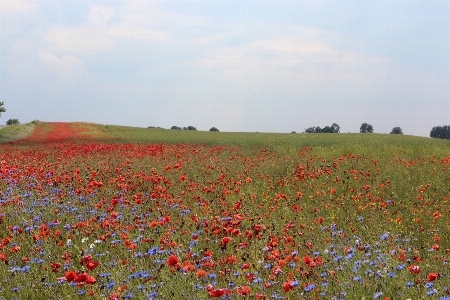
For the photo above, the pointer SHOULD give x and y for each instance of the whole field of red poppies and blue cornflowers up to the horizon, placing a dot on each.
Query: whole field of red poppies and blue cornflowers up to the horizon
(110, 212)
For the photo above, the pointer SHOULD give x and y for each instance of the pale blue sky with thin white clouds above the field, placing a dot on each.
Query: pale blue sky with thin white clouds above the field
(251, 66)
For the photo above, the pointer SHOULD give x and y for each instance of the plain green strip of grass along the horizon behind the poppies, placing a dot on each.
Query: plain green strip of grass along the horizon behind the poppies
(284, 141)
